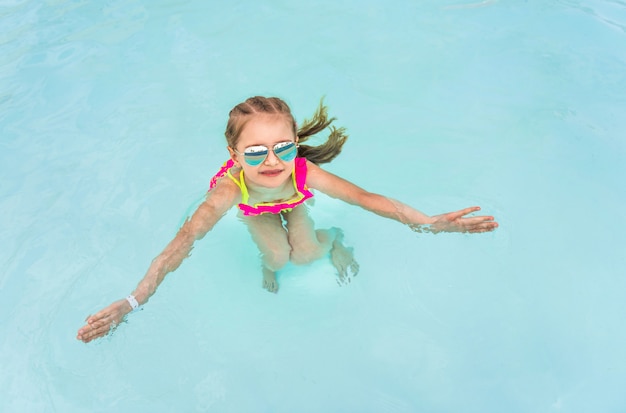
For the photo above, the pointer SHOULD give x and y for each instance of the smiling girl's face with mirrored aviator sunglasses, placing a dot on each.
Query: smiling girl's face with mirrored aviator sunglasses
(268, 131)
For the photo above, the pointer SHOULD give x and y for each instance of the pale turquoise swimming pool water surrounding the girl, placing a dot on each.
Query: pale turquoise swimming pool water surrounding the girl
(111, 123)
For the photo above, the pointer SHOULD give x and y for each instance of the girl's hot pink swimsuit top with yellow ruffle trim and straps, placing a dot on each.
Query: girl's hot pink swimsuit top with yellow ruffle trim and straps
(299, 183)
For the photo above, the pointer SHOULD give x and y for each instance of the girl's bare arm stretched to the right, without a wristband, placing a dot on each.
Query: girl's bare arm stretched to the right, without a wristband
(336, 187)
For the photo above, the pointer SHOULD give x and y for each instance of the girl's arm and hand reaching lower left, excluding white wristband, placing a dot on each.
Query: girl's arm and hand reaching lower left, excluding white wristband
(218, 201)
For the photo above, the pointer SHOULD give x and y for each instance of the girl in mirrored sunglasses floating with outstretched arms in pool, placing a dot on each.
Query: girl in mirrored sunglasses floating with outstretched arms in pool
(269, 176)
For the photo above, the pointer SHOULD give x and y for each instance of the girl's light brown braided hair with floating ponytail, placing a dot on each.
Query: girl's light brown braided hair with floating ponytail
(323, 153)
